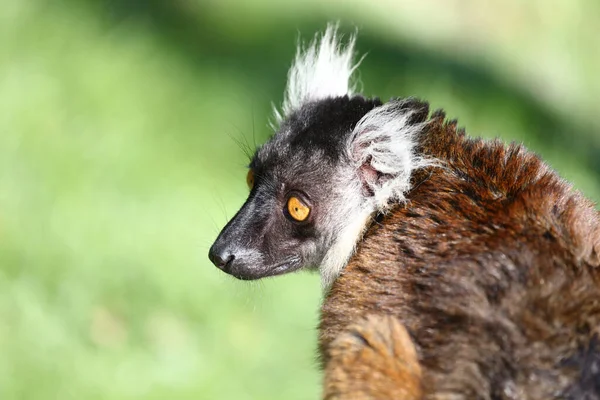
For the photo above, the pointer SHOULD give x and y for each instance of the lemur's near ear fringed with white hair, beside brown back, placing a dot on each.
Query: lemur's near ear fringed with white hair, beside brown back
(383, 148)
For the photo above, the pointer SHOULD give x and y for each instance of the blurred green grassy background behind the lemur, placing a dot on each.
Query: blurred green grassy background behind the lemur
(119, 163)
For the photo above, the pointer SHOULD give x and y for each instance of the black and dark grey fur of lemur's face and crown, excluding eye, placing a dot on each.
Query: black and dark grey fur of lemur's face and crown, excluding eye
(307, 159)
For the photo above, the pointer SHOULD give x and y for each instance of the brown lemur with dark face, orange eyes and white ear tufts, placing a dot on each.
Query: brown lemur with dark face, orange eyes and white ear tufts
(453, 267)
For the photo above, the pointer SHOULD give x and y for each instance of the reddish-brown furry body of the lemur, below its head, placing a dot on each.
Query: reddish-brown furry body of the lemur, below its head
(492, 268)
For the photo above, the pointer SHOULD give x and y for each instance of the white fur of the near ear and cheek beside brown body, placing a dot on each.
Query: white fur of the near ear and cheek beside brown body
(385, 139)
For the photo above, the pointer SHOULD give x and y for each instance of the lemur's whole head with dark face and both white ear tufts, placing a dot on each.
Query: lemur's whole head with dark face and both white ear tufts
(336, 159)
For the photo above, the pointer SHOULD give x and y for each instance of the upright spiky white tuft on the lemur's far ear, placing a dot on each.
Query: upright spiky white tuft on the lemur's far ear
(321, 71)
